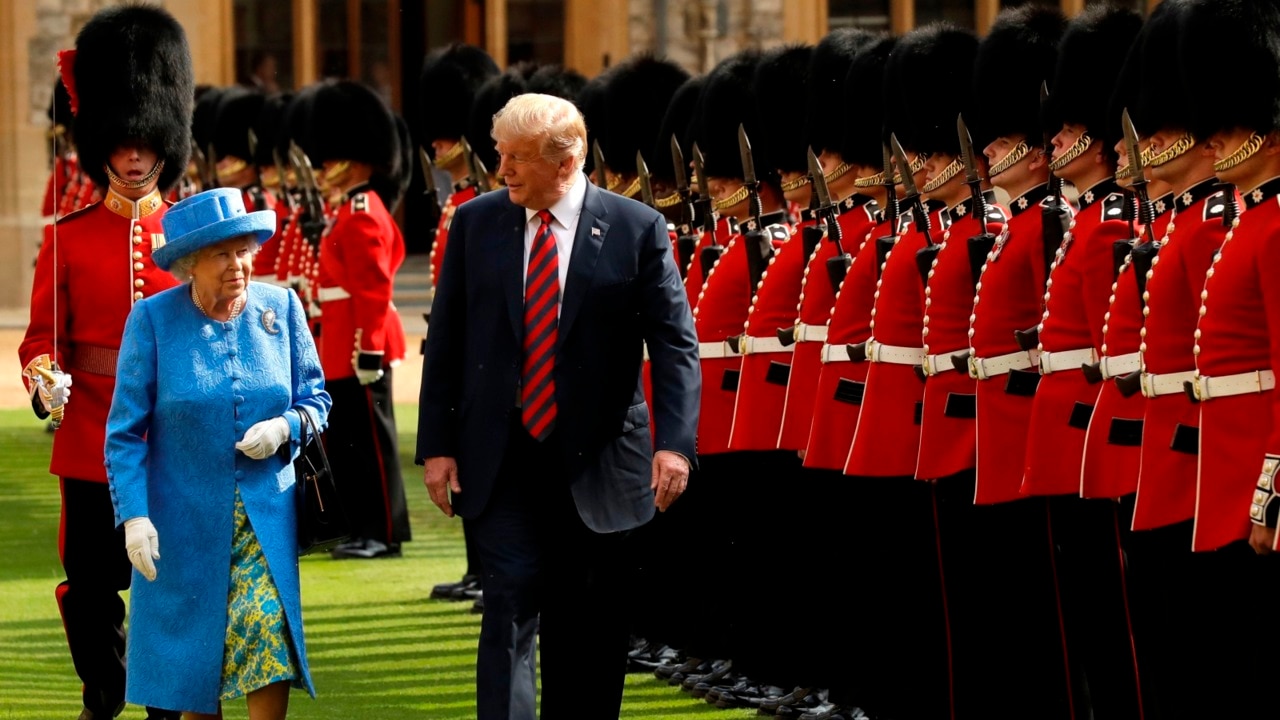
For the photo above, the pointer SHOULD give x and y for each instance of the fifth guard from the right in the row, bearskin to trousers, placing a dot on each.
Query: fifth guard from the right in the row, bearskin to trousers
(1011, 549)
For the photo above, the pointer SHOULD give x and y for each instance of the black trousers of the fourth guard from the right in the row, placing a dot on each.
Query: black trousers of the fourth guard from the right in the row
(1096, 612)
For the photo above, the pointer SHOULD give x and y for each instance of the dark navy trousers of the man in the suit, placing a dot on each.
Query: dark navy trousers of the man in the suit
(540, 559)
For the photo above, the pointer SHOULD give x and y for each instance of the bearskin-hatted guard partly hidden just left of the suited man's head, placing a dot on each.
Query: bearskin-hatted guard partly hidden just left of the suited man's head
(447, 88)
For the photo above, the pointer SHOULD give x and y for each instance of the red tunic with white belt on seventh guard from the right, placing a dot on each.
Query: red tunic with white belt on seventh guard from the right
(888, 440)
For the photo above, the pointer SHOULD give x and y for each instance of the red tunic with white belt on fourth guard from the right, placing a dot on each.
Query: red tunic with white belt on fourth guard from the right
(1076, 304)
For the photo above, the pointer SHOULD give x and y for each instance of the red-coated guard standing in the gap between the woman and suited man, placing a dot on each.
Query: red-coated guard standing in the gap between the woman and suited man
(359, 149)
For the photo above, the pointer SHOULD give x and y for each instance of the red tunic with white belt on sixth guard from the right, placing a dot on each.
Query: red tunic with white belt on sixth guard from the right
(948, 418)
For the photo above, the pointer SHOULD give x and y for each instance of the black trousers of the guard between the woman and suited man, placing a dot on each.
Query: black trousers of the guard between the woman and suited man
(363, 450)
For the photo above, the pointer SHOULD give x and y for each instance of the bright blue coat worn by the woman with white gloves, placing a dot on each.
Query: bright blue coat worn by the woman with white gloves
(188, 389)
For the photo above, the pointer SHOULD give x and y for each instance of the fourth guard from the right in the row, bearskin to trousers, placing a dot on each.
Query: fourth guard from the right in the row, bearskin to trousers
(1096, 618)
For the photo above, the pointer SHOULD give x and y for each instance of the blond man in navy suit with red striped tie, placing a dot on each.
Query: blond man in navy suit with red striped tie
(534, 423)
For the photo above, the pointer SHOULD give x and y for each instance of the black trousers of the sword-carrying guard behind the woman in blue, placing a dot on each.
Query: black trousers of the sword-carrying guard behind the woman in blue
(98, 571)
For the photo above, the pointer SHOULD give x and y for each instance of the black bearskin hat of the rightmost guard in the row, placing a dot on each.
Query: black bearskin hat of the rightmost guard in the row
(1232, 51)
